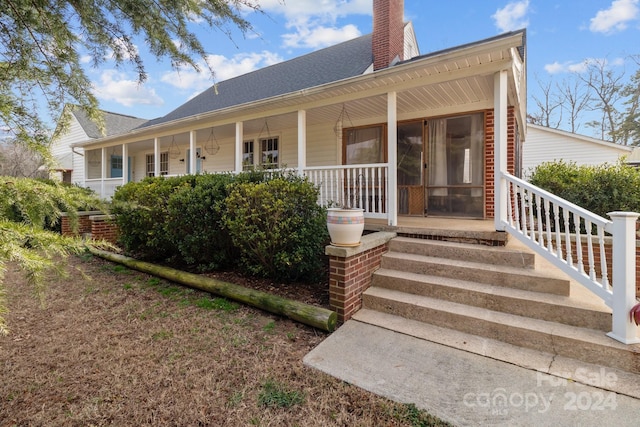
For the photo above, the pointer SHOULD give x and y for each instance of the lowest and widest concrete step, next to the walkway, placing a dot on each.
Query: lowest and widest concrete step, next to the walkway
(587, 345)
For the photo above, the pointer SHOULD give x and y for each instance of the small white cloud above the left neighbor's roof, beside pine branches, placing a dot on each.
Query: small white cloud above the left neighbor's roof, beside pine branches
(114, 86)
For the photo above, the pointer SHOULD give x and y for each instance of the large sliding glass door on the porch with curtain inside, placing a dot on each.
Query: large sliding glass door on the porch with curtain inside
(441, 167)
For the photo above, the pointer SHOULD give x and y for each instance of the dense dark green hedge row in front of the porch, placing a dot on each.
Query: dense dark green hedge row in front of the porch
(262, 223)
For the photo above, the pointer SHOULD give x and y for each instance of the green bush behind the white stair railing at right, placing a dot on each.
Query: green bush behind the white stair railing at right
(600, 189)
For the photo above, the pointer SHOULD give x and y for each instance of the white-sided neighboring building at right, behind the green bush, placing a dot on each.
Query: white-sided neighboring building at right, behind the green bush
(546, 145)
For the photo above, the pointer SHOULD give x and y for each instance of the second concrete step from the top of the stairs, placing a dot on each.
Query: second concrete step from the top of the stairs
(498, 275)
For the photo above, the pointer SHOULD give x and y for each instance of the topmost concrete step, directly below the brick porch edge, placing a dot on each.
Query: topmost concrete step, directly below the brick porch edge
(495, 255)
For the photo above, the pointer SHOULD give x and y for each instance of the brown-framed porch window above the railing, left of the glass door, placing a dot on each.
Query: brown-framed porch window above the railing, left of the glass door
(364, 145)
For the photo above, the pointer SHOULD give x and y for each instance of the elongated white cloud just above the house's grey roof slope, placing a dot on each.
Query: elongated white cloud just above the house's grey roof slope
(187, 78)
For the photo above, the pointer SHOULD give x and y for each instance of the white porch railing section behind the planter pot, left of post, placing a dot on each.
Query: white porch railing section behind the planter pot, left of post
(361, 186)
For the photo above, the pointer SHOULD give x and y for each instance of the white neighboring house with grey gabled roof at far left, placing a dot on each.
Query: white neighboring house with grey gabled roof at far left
(70, 161)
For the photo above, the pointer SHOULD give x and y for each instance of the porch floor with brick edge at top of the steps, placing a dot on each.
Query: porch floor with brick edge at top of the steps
(464, 230)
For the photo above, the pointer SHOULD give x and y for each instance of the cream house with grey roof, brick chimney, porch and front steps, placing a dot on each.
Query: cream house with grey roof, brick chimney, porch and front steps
(408, 137)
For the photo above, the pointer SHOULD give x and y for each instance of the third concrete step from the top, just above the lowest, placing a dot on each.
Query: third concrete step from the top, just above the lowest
(554, 308)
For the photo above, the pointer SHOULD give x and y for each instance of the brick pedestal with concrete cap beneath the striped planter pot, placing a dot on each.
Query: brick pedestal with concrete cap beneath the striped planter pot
(350, 272)
